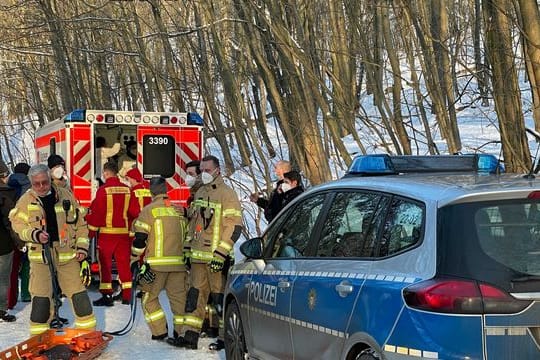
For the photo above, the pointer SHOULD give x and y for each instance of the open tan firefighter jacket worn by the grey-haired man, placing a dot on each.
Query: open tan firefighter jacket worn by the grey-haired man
(28, 219)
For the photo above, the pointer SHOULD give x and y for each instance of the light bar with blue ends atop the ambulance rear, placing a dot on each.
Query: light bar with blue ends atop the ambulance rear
(128, 117)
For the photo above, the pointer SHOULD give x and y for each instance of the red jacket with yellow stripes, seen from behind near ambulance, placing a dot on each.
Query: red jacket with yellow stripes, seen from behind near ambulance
(108, 212)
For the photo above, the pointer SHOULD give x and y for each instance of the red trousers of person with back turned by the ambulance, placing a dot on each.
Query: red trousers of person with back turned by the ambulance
(119, 248)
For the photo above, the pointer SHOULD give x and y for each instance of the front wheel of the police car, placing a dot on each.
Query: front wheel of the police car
(235, 343)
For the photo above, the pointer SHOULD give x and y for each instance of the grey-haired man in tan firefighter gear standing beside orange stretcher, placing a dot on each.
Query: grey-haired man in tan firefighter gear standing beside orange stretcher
(48, 215)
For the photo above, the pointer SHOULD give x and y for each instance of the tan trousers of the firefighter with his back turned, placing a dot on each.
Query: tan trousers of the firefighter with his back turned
(175, 285)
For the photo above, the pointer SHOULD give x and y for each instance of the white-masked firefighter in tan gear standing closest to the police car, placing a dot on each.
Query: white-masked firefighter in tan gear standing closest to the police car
(215, 224)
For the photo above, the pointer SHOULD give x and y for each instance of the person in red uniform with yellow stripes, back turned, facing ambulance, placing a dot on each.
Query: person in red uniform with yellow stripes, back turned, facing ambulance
(107, 218)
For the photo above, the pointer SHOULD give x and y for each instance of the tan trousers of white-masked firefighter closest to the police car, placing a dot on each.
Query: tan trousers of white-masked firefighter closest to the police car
(203, 282)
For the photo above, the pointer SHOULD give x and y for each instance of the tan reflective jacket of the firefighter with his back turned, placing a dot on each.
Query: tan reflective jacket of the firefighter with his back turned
(160, 232)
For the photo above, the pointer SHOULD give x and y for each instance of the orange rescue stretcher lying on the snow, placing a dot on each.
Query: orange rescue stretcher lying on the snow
(59, 344)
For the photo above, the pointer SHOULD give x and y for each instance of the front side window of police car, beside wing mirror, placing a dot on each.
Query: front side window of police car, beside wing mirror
(291, 236)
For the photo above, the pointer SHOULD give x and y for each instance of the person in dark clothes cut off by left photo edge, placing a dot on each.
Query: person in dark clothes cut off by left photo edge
(7, 241)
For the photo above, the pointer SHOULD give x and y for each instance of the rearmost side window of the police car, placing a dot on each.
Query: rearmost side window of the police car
(402, 228)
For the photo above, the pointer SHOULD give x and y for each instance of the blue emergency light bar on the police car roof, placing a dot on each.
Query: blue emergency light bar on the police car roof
(383, 164)
